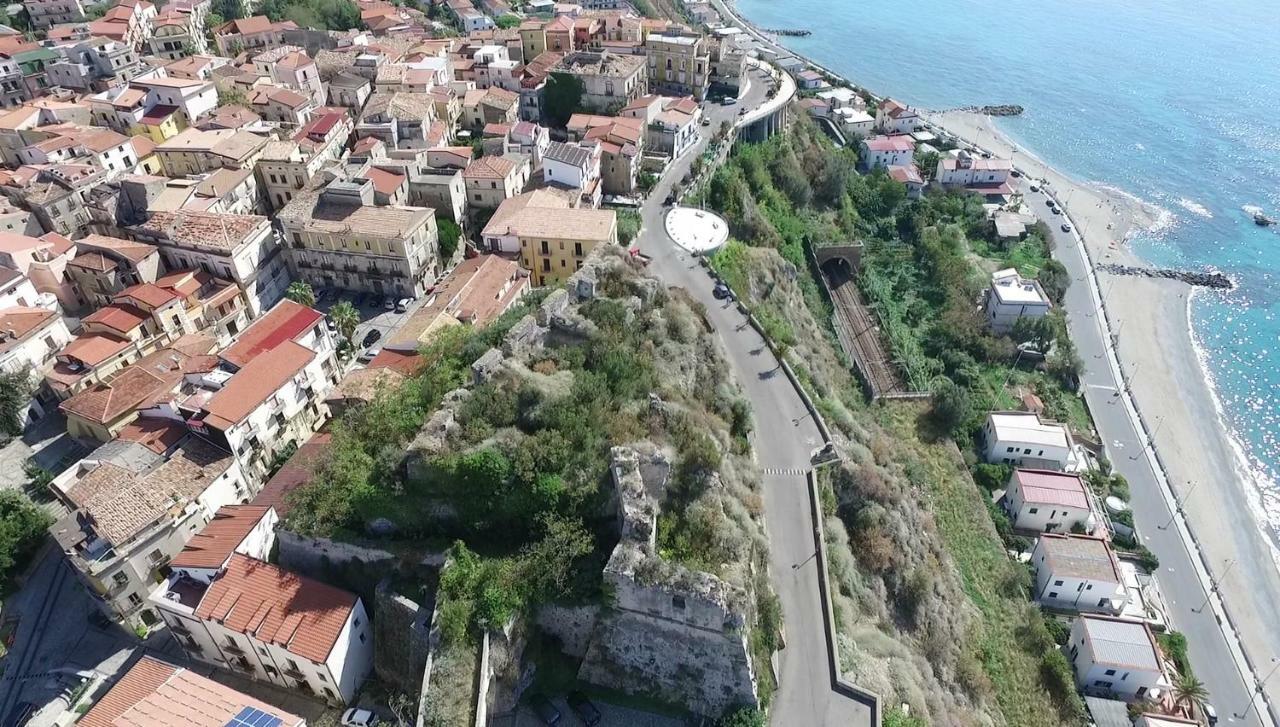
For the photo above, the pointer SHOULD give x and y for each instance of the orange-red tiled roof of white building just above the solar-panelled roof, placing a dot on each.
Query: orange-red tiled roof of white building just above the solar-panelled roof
(277, 607)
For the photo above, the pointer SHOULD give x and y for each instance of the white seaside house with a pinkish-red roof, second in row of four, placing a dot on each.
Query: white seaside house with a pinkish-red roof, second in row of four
(1046, 501)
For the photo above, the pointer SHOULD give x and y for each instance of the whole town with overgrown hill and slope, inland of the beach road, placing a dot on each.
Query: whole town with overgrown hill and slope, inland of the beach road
(353, 372)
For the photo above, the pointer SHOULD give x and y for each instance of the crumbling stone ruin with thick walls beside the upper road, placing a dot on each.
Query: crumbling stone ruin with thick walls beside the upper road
(671, 632)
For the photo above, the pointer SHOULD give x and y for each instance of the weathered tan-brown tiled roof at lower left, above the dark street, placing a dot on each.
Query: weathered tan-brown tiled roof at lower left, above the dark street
(121, 505)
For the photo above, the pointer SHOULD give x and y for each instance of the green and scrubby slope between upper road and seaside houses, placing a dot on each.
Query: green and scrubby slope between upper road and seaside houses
(931, 610)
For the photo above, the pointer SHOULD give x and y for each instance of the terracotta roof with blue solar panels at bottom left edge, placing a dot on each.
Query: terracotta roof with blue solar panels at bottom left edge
(157, 694)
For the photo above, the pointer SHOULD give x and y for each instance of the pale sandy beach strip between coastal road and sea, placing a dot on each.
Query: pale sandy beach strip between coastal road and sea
(1160, 342)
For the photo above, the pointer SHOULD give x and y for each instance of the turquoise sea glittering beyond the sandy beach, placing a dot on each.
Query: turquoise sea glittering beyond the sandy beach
(1176, 102)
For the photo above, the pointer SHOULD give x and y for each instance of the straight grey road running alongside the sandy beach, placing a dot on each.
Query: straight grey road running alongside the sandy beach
(1212, 650)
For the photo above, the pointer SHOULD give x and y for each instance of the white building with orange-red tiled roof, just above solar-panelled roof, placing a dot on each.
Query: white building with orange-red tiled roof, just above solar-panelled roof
(269, 625)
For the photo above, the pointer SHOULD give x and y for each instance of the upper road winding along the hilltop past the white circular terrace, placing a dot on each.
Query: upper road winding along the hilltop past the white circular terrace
(785, 437)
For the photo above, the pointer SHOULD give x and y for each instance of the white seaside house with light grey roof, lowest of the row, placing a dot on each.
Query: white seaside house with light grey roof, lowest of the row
(1118, 657)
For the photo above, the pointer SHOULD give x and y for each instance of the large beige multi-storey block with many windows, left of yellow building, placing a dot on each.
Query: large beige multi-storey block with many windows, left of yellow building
(340, 239)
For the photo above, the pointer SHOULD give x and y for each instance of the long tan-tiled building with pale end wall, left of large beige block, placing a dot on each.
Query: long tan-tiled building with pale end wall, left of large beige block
(243, 249)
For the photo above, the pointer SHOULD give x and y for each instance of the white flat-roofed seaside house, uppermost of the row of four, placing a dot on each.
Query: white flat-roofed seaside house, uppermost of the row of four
(1023, 441)
